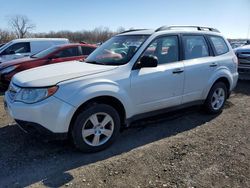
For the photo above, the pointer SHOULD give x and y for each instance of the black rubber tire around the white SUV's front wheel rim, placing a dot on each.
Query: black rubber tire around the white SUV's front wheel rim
(83, 118)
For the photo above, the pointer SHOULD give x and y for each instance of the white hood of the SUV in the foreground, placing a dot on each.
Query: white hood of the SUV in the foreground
(53, 74)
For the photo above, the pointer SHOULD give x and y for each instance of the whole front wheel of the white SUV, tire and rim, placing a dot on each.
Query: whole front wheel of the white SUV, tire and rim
(96, 128)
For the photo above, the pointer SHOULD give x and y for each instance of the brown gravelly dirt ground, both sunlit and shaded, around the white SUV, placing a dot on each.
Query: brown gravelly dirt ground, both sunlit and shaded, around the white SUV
(187, 148)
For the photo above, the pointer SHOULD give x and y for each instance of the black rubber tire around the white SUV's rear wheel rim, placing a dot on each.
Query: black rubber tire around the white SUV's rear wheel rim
(208, 103)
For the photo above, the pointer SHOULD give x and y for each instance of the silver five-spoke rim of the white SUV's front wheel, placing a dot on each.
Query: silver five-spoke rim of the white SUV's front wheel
(98, 129)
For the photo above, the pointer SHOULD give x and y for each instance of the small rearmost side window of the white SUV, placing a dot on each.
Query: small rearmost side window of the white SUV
(219, 45)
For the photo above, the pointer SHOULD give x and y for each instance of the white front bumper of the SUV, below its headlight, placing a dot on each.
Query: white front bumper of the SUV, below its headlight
(52, 114)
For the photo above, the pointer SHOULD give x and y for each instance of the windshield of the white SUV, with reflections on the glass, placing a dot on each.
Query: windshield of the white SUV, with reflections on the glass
(117, 50)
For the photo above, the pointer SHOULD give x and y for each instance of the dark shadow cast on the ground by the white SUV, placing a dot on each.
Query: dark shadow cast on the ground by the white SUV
(26, 159)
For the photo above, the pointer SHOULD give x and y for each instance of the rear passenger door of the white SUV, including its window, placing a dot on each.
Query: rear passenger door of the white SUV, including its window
(199, 66)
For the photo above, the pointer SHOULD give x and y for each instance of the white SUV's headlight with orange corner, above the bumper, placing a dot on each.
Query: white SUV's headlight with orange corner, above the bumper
(33, 95)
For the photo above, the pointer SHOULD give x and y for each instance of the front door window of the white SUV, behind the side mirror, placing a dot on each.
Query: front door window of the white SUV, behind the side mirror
(165, 49)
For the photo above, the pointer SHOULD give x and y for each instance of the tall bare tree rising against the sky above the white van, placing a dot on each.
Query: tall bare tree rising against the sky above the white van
(21, 25)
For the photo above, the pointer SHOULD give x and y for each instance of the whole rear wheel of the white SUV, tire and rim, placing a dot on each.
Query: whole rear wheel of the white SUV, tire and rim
(216, 98)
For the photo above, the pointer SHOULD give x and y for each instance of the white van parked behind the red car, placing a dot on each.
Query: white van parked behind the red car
(19, 48)
